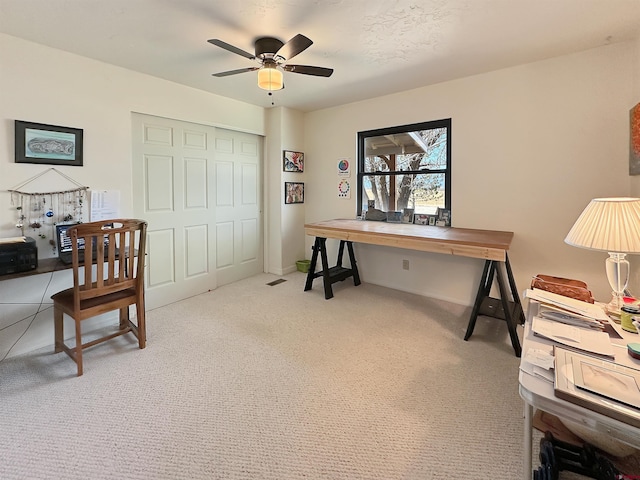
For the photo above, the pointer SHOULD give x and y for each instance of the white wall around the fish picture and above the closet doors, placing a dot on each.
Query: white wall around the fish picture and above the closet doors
(44, 85)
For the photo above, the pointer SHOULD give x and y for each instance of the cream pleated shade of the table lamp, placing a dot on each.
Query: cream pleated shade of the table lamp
(608, 225)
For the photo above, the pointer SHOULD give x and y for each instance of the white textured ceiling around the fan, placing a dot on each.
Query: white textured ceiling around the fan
(376, 47)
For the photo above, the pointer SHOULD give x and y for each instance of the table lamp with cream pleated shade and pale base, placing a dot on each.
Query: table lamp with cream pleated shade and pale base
(610, 225)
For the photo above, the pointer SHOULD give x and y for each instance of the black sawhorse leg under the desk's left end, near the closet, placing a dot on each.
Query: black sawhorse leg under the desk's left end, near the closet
(333, 274)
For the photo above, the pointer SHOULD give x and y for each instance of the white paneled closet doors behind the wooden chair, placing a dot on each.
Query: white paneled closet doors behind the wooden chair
(200, 190)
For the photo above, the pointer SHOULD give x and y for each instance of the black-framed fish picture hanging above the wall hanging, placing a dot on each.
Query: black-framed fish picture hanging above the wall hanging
(48, 144)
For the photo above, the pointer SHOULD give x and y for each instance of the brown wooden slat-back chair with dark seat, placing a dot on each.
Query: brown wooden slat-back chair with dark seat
(108, 274)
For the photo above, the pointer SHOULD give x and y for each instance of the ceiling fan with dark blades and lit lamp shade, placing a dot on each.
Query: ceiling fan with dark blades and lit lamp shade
(272, 55)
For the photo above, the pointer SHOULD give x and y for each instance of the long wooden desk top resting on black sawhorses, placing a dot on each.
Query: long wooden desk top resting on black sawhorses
(485, 244)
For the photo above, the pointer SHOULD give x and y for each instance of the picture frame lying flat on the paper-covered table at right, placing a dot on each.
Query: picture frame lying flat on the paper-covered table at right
(594, 383)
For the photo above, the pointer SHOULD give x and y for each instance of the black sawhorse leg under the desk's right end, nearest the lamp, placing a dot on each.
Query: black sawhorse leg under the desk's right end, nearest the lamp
(510, 311)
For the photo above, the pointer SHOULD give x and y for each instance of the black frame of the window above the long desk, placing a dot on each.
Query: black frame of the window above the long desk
(433, 124)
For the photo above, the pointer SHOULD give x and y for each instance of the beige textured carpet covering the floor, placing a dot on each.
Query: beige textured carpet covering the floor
(269, 382)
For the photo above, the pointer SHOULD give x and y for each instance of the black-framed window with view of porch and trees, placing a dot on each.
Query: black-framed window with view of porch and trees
(405, 167)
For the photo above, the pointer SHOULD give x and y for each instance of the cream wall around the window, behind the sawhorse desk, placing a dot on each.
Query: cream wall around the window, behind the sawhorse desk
(531, 146)
